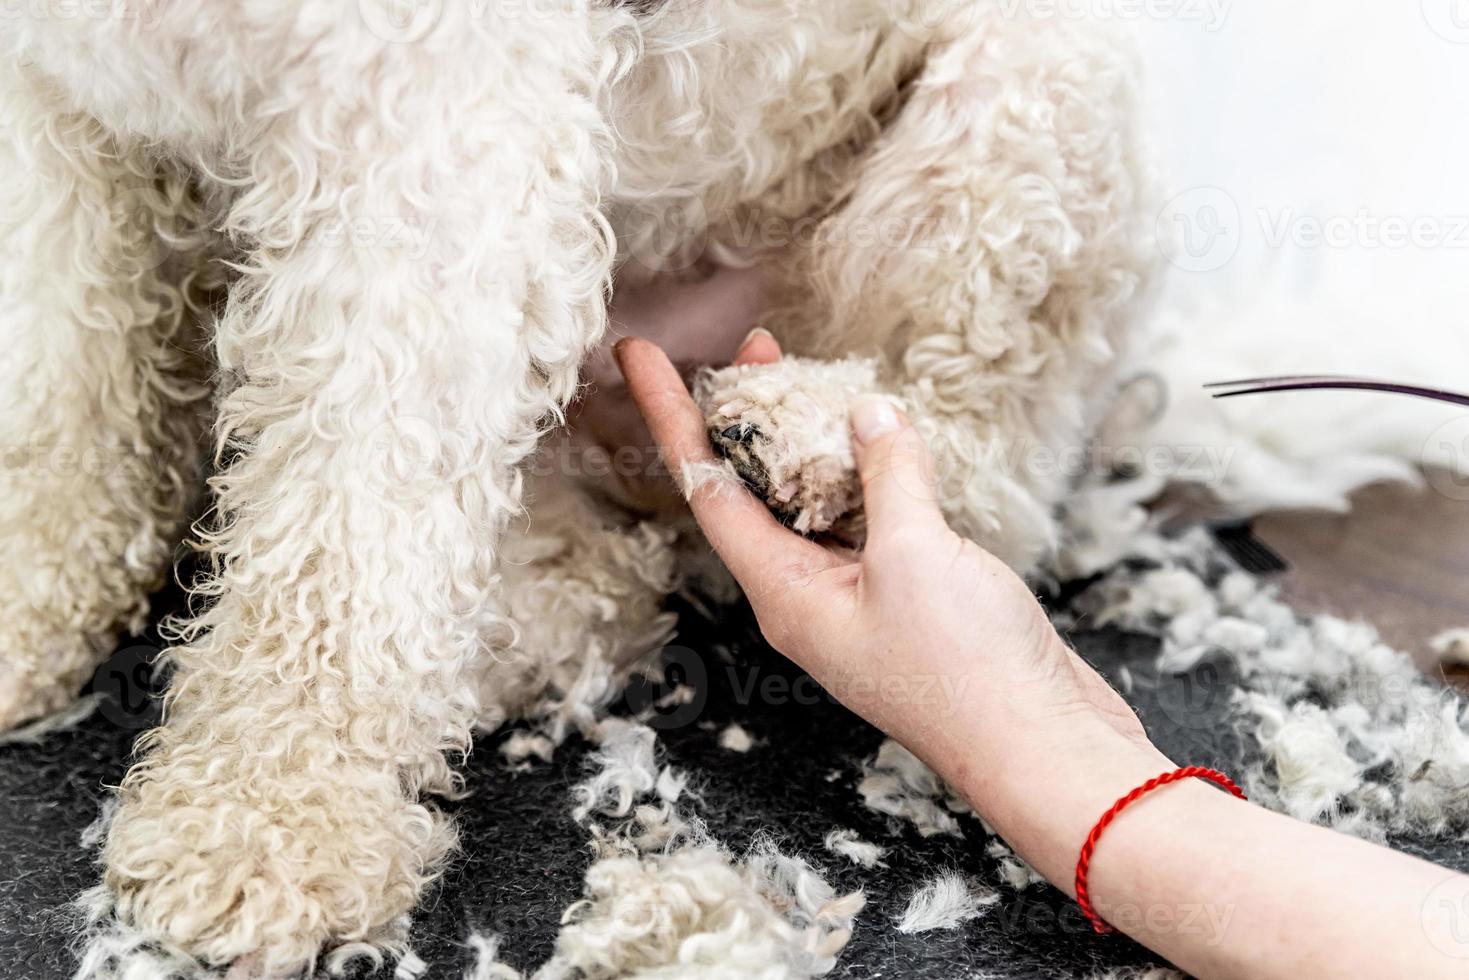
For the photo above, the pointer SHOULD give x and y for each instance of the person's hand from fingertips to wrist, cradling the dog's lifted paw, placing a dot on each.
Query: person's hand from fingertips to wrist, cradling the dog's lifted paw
(923, 634)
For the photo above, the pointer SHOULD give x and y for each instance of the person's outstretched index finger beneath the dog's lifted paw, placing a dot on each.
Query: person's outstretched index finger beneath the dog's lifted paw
(762, 553)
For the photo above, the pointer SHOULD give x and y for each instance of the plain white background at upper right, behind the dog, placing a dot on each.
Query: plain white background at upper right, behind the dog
(1315, 114)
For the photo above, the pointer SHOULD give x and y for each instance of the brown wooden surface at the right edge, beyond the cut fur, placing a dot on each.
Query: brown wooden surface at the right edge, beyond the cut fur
(1398, 561)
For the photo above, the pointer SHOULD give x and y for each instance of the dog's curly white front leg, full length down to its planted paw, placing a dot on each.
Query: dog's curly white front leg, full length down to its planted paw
(431, 268)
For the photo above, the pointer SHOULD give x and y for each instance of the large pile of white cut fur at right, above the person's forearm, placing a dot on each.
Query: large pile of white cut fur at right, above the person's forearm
(1349, 732)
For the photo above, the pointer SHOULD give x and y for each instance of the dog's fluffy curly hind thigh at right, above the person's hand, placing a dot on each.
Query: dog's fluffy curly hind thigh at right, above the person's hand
(1007, 195)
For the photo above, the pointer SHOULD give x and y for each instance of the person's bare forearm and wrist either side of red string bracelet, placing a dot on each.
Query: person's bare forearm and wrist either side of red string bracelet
(1219, 887)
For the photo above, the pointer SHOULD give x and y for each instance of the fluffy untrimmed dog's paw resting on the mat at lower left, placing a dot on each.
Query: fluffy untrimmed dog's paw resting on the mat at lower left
(231, 862)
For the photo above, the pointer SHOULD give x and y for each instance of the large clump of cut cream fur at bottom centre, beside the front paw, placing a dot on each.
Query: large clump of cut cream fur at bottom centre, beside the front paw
(665, 900)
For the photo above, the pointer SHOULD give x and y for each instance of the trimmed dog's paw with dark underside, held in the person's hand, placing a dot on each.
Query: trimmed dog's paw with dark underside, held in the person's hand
(785, 430)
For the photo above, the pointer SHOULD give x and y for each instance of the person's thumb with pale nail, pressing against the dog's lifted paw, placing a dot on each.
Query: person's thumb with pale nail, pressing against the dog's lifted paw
(897, 471)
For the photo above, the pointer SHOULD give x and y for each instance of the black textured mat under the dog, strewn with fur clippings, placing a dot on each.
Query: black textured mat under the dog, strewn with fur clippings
(524, 857)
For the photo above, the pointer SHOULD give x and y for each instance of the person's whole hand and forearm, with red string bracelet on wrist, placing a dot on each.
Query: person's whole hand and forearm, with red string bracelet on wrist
(1028, 732)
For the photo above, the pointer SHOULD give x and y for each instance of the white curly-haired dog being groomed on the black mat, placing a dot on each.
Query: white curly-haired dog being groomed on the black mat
(352, 259)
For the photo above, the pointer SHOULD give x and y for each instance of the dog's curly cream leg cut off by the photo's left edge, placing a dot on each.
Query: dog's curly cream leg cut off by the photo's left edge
(102, 402)
